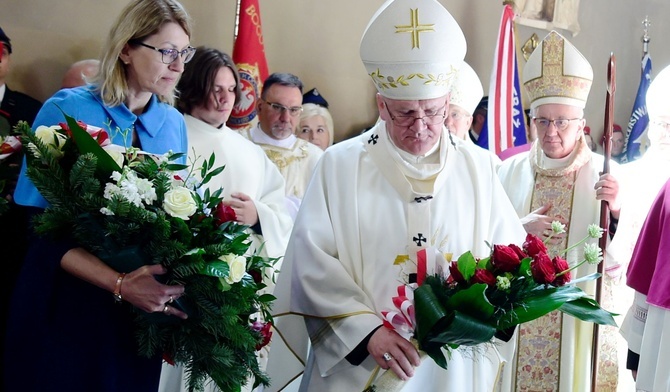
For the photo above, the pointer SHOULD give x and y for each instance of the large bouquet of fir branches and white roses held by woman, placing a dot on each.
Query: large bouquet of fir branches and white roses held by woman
(130, 209)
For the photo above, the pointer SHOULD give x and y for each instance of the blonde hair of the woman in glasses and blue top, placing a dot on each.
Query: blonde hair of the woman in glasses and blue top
(138, 20)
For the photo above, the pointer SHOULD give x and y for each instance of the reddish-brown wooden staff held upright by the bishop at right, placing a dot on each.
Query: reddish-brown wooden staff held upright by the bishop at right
(604, 208)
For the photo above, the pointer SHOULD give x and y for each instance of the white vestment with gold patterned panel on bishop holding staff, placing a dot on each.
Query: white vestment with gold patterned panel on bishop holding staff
(554, 352)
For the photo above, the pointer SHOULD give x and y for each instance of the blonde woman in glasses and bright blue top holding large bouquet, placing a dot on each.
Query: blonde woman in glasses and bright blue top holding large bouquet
(66, 331)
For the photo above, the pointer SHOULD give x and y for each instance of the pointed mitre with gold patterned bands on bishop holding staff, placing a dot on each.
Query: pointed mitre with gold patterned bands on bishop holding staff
(556, 72)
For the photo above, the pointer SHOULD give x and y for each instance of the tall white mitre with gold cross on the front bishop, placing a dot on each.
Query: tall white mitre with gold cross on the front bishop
(412, 49)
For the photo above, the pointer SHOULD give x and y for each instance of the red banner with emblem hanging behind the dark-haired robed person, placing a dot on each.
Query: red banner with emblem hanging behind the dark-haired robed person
(249, 56)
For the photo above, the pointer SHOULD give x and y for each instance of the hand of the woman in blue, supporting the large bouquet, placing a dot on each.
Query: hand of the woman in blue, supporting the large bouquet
(142, 290)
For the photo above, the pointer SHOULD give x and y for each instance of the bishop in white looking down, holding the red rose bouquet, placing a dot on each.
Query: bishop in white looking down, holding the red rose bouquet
(399, 188)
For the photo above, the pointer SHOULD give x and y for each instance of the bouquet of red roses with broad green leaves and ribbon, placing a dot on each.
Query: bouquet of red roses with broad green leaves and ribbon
(469, 301)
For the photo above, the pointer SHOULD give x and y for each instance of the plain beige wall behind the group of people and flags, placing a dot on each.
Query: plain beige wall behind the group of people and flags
(318, 40)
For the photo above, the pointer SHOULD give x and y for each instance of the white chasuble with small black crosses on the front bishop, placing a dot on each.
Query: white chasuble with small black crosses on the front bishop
(366, 205)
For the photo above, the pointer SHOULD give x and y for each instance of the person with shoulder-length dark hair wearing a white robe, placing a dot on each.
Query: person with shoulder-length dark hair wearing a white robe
(252, 185)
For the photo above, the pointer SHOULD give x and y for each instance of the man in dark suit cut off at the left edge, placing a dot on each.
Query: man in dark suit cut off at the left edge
(14, 107)
